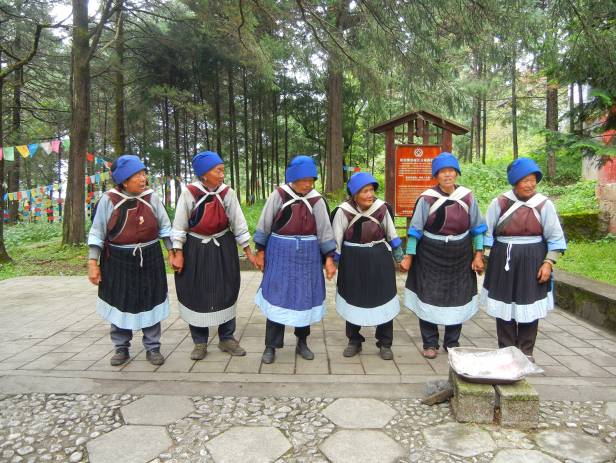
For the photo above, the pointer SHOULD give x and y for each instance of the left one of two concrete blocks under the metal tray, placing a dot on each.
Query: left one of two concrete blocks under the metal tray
(472, 402)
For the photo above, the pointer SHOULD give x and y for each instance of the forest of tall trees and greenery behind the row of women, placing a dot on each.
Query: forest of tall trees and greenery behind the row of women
(260, 81)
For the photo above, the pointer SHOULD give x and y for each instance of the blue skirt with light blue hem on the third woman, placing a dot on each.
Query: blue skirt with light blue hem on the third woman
(292, 291)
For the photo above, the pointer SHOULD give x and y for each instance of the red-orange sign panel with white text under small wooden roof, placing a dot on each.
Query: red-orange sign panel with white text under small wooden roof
(413, 175)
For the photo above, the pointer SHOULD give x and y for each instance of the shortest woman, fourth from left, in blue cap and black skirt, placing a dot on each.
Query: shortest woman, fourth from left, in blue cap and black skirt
(366, 289)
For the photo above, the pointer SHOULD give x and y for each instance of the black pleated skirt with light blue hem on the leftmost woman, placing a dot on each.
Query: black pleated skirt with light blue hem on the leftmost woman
(132, 294)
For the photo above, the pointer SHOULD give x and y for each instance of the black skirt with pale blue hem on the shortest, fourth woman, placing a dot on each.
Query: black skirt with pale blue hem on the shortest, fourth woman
(366, 286)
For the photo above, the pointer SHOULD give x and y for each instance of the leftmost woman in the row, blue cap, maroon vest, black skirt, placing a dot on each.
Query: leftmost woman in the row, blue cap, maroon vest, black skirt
(131, 279)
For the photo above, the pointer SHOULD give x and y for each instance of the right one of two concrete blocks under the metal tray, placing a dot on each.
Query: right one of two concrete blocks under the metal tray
(519, 404)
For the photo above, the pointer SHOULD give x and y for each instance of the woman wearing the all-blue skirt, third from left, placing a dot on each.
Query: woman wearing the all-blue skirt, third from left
(293, 237)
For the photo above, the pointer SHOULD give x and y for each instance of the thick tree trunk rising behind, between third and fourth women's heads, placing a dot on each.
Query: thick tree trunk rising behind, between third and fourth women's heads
(334, 139)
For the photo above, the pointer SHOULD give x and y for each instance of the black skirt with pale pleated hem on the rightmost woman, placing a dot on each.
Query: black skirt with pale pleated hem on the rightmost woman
(516, 294)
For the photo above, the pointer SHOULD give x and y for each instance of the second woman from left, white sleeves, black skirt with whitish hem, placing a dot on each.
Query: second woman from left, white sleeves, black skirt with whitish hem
(207, 228)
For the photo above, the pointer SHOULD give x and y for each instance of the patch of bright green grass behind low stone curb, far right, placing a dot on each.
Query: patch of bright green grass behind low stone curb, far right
(591, 259)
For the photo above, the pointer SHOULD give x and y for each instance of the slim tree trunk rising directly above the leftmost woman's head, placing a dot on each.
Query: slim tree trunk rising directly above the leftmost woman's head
(119, 131)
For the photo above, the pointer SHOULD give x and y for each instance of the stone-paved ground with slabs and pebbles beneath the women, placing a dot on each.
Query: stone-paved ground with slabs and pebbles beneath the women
(60, 400)
